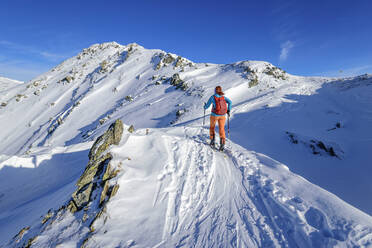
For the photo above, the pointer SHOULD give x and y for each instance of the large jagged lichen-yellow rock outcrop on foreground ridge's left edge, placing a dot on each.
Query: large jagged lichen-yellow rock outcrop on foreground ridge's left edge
(94, 189)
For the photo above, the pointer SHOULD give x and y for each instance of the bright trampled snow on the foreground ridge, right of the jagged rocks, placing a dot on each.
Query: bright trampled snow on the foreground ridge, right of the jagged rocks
(172, 182)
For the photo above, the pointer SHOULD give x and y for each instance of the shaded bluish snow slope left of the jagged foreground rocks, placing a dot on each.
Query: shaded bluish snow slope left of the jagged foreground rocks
(32, 185)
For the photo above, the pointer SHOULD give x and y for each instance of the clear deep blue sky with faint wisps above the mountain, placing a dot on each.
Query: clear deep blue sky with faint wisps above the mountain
(331, 38)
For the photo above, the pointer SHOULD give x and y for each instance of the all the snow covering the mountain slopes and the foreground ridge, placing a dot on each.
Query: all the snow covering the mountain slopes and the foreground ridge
(173, 189)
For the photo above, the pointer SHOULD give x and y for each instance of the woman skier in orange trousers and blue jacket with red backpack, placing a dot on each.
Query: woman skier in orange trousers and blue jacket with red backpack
(221, 106)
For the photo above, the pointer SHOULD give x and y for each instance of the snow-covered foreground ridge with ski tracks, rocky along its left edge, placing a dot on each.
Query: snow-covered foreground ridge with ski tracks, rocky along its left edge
(173, 190)
